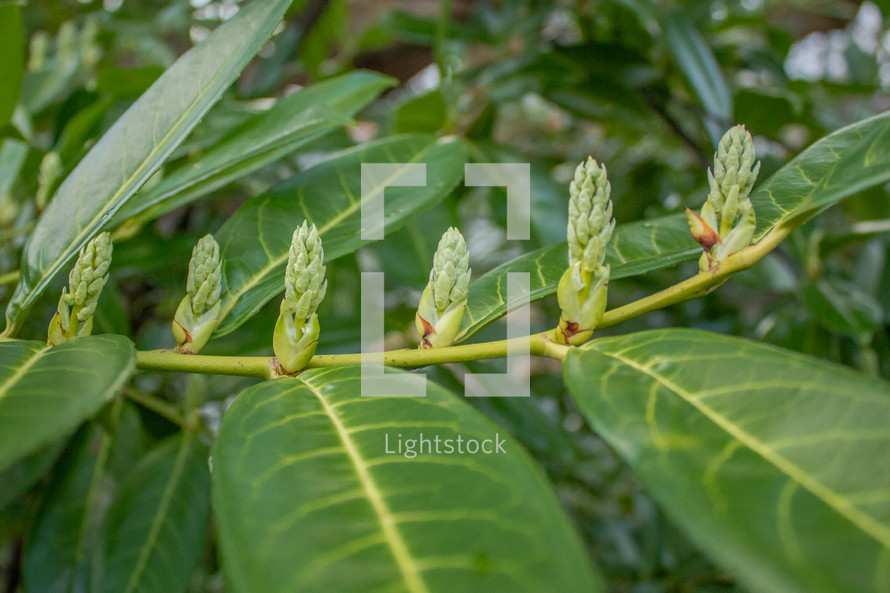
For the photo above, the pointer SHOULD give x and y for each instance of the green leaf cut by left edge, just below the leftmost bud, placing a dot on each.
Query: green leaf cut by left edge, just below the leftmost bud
(45, 393)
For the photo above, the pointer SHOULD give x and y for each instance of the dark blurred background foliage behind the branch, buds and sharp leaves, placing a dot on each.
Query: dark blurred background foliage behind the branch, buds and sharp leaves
(646, 87)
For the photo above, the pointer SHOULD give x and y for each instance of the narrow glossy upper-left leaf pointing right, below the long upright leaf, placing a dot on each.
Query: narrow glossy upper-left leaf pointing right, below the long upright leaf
(262, 139)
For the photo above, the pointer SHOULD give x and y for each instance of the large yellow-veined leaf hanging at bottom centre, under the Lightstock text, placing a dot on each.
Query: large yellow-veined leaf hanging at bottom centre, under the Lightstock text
(306, 497)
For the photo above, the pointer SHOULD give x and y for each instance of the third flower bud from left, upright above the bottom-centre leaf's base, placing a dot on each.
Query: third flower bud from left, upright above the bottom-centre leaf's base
(297, 329)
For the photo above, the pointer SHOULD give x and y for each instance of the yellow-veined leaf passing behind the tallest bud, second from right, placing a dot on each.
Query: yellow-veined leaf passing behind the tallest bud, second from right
(635, 248)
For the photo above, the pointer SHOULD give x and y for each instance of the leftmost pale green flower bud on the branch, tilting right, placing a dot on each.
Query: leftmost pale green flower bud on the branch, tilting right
(74, 314)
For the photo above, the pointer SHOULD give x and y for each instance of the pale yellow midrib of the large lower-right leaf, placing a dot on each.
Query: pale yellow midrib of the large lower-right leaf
(831, 498)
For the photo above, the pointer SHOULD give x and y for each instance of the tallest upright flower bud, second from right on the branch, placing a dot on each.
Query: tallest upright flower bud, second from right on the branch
(583, 287)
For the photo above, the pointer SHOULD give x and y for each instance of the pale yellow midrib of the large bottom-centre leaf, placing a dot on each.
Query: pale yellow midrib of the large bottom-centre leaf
(404, 561)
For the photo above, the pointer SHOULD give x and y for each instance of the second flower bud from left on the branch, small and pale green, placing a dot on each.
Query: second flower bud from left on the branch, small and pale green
(198, 312)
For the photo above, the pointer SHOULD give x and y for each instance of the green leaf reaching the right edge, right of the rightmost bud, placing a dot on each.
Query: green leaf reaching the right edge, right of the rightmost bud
(839, 165)
